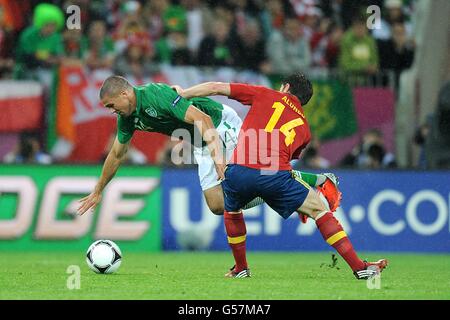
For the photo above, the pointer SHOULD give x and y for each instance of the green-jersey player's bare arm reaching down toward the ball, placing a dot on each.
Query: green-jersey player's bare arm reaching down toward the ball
(112, 163)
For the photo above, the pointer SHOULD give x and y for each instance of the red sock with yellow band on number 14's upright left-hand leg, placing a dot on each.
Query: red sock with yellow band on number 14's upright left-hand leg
(236, 232)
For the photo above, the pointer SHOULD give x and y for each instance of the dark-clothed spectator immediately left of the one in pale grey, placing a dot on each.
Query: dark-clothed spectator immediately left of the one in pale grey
(249, 49)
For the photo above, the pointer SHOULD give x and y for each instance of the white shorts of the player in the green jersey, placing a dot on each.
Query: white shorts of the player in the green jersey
(228, 130)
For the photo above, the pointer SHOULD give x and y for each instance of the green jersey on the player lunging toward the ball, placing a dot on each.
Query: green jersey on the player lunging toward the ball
(160, 109)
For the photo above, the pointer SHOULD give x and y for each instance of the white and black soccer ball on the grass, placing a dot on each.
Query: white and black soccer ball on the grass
(104, 256)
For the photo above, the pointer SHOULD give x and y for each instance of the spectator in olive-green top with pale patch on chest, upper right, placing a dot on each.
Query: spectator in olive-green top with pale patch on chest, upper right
(359, 55)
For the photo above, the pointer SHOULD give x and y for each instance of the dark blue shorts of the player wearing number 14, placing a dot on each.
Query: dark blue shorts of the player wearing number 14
(280, 190)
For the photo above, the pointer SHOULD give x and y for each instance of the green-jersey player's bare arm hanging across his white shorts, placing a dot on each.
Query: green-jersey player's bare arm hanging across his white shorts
(210, 135)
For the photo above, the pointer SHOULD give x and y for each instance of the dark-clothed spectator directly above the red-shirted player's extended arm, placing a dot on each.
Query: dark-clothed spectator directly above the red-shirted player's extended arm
(215, 50)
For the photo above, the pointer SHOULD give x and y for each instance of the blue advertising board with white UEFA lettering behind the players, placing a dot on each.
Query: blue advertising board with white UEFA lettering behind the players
(381, 211)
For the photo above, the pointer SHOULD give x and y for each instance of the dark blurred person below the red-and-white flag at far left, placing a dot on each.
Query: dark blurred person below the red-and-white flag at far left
(28, 150)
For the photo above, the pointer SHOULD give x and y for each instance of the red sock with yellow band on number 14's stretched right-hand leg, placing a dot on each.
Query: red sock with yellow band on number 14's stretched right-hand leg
(334, 235)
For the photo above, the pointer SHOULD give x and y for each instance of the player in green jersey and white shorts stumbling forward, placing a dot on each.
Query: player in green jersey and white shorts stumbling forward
(212, 128)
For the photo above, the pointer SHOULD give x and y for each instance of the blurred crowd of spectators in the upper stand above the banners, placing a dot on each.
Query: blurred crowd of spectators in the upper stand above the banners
(271, 37)
